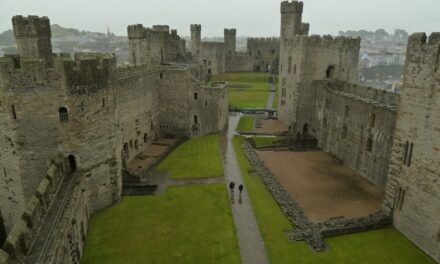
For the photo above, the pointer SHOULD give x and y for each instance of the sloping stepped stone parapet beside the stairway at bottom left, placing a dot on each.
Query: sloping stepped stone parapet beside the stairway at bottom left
(23, 233)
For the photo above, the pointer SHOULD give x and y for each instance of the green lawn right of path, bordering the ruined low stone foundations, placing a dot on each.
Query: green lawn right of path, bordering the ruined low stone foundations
(377, 247)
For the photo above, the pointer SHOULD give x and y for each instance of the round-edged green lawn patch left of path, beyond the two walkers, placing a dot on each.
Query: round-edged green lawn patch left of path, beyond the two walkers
(196, 158)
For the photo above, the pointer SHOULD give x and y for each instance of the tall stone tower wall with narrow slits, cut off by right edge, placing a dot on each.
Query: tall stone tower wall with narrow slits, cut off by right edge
(413, 191)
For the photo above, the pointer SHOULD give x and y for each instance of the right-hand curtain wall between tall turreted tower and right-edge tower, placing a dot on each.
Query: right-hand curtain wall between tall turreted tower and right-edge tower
(356, 124)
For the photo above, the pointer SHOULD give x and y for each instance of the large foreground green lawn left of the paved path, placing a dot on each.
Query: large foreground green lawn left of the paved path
(189, 224)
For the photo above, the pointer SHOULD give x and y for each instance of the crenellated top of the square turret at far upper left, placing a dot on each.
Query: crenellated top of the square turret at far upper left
(31, 26)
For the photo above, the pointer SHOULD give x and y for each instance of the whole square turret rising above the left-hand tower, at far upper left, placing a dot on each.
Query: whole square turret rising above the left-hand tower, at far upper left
(33, 37)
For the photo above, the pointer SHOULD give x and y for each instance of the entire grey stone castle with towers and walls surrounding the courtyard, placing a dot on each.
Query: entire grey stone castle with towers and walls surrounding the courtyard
(70, 125)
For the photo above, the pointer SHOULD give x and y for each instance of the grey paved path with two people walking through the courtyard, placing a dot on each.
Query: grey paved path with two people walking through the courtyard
(250, 242)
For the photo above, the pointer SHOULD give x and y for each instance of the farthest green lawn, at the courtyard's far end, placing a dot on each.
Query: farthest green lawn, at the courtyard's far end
(253, 96)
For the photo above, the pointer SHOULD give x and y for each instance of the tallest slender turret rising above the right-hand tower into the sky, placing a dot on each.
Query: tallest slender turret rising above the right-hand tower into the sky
(291, 19)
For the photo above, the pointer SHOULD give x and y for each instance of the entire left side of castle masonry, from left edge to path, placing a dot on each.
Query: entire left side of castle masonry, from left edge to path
(96, 117)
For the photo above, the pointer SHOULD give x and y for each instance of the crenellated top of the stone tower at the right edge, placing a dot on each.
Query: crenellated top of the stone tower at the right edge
(422, 49)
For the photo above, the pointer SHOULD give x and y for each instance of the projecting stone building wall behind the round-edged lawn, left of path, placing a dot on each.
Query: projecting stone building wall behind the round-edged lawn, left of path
(186, 98)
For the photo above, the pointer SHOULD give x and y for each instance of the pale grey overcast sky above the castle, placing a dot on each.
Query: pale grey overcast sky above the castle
(250, 17)
